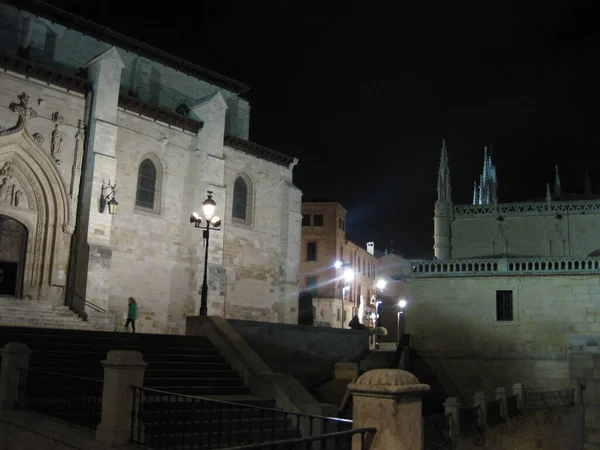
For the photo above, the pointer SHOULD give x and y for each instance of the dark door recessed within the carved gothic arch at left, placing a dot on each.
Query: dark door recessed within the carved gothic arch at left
(13, 246)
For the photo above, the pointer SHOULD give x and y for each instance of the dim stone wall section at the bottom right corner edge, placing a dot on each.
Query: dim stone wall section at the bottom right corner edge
(584, 369)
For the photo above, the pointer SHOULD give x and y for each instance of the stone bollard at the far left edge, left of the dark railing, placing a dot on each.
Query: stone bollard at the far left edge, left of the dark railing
(15, 356)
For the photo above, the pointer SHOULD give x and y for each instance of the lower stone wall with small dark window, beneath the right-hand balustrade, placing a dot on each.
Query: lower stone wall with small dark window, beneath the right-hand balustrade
(455, 317)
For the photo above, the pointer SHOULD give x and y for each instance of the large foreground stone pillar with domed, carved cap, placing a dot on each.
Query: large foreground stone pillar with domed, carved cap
(390, 401)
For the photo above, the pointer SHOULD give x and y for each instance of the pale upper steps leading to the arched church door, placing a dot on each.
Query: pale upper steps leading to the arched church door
(36, 313)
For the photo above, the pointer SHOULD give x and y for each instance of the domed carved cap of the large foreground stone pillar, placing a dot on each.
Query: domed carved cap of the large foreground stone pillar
(388, 381)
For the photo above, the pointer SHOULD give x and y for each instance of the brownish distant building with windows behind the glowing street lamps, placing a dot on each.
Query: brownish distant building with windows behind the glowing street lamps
(324, 242)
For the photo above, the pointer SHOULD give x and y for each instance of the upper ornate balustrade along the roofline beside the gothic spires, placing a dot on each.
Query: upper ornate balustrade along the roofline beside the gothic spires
(527, 209)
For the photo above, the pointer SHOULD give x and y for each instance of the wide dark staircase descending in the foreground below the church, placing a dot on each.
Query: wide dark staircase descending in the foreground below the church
(188, 365)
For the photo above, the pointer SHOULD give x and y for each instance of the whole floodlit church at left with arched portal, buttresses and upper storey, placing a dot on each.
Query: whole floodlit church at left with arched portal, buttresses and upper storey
(87, 116)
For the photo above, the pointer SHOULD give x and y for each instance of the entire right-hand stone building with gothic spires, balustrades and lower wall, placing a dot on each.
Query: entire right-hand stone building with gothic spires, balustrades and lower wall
(509, 283)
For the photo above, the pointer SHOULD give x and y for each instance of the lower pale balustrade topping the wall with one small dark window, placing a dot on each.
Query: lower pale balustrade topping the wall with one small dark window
(506, 266)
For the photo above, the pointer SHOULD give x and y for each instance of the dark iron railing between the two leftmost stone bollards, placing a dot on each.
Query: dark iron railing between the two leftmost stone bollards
(75, 400)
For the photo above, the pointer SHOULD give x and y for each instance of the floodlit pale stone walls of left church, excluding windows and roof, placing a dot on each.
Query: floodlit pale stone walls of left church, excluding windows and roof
(153, 254)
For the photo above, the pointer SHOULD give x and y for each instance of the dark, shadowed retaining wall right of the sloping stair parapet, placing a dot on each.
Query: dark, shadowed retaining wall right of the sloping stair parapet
(308, 353)
